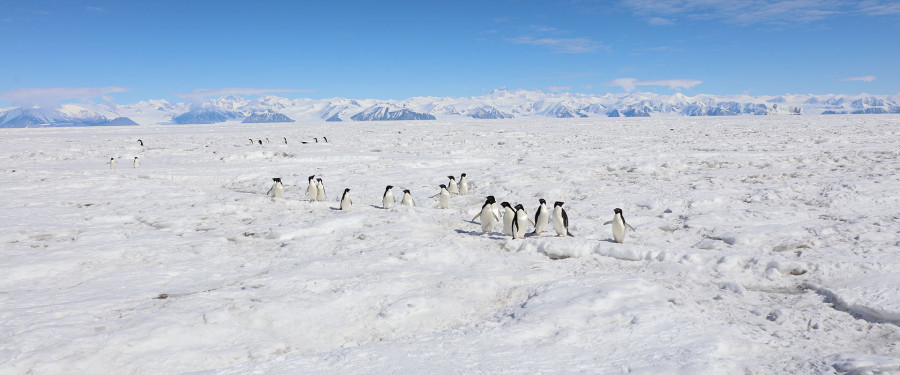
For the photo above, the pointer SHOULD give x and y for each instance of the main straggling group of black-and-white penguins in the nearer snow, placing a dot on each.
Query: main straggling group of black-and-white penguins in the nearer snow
(515, 219)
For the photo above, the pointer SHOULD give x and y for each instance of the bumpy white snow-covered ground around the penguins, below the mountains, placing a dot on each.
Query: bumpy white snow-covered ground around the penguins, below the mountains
(762, 245)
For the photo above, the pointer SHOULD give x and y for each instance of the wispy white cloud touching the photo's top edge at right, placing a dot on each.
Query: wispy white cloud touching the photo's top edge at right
(739, 12)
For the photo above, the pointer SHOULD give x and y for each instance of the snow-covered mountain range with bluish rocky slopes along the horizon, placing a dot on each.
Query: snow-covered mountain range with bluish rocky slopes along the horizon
(498, 104)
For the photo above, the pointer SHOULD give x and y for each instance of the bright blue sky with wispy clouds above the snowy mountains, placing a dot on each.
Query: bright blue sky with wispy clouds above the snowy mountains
(136, 50)
